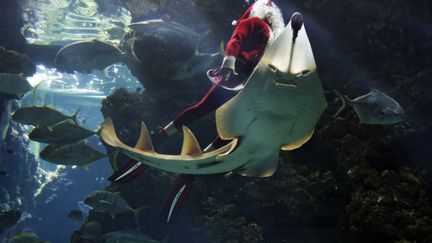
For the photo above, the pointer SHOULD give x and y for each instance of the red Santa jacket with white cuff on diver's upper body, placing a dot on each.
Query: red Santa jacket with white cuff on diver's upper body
(247, 42)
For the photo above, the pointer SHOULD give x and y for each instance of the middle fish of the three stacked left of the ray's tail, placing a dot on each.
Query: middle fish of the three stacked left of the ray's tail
(64, 132)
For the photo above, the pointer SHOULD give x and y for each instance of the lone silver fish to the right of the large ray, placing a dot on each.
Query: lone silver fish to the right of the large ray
(374, 108)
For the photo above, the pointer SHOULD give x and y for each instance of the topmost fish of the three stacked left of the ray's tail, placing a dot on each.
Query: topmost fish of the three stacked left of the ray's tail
(40, 116)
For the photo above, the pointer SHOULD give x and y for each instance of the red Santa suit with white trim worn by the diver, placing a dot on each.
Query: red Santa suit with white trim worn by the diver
(260, 24)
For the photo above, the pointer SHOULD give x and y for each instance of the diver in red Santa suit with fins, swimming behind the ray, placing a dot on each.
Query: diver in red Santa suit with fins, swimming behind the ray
(257, 27)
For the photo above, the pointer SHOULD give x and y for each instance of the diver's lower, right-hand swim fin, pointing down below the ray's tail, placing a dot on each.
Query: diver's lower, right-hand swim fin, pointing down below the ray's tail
(176, 199)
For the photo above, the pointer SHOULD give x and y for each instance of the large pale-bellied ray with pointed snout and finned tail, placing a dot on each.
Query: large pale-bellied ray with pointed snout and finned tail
(277, 109)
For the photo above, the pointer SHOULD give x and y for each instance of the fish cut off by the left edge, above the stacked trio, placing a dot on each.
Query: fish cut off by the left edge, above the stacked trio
(14, 84)
